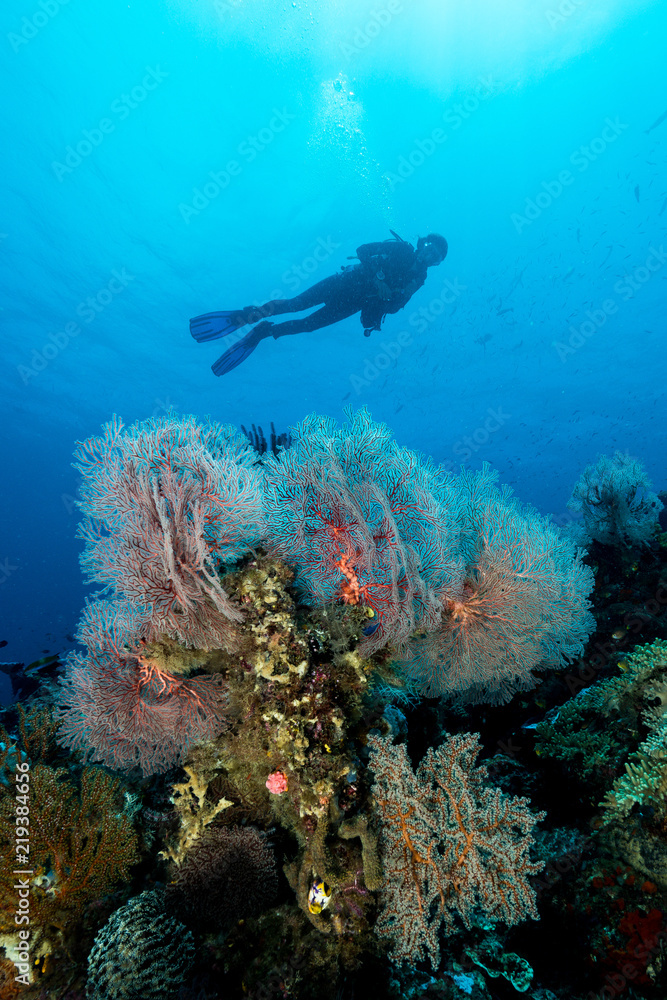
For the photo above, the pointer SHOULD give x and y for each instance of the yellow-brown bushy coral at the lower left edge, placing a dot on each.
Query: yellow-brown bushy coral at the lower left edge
(72, 836)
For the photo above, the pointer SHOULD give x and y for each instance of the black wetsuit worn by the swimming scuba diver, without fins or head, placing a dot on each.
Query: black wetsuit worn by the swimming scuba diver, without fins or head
(383, 281)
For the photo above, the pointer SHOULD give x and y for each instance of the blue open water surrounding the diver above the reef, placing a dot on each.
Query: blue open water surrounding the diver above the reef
(164, 159)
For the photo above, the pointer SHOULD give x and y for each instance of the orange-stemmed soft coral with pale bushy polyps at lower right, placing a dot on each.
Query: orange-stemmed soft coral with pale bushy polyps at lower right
(449, 845)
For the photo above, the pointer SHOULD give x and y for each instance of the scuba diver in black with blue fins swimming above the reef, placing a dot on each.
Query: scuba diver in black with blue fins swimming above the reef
(385, 279)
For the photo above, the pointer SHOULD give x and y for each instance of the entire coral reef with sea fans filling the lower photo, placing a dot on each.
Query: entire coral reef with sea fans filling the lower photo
(273, 619)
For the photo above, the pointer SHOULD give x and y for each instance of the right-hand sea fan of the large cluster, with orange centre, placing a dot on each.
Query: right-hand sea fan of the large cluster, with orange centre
(521, 603)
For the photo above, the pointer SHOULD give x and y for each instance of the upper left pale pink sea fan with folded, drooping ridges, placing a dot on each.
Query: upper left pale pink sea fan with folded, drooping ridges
(168, 501)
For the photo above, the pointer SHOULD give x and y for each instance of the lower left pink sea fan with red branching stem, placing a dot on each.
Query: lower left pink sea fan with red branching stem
(122, 709)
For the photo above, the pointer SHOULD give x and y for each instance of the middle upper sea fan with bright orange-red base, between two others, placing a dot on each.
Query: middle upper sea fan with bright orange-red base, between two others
(362, 521)
